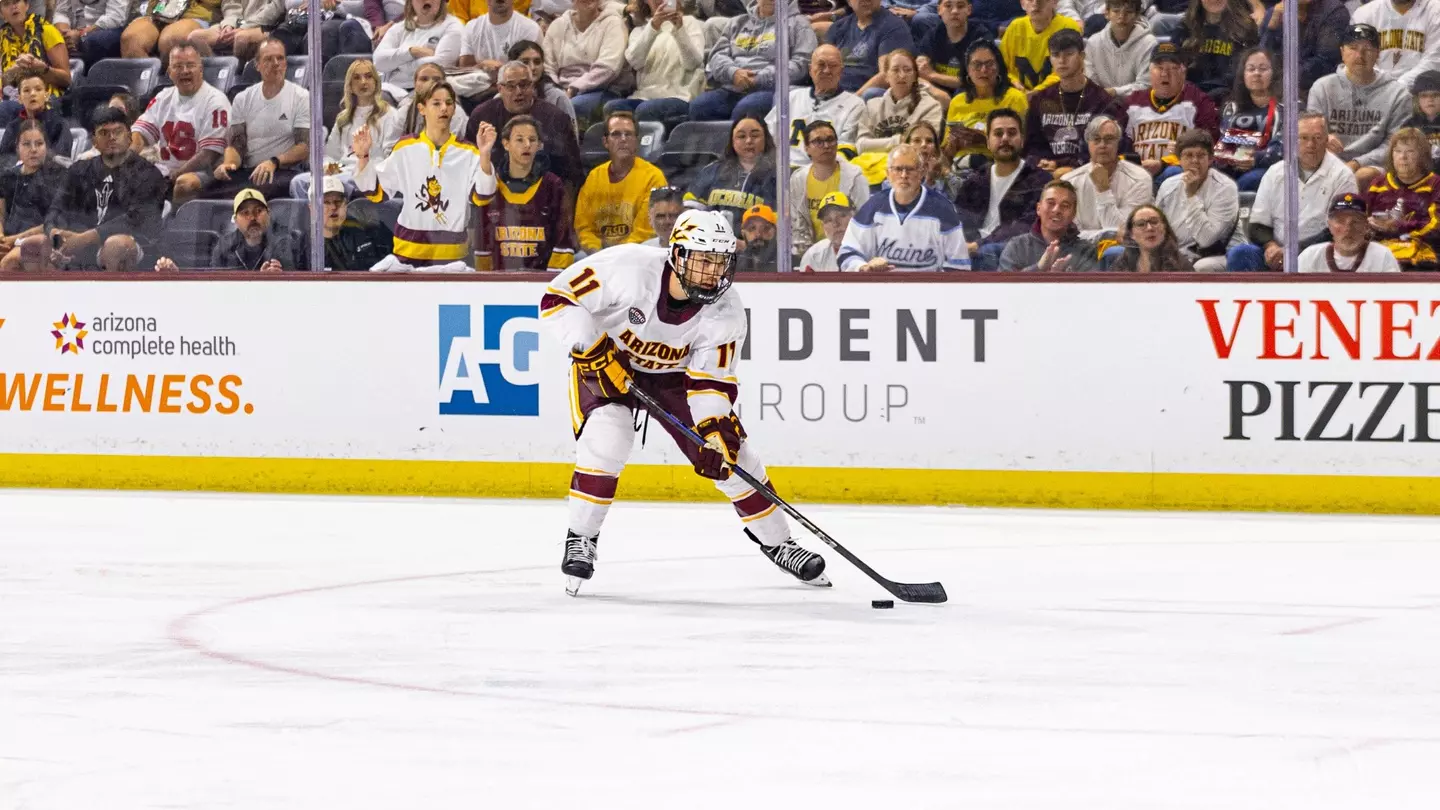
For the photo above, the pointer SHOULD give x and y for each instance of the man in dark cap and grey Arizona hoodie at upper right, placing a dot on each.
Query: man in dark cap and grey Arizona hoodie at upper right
(1362, 107)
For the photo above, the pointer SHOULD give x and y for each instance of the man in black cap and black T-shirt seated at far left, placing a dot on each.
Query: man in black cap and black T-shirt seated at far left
(109, 211)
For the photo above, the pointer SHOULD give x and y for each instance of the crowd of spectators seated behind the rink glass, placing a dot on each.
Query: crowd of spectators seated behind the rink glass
(922, 135)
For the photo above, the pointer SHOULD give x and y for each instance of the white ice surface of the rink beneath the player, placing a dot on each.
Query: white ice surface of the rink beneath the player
(225, 652)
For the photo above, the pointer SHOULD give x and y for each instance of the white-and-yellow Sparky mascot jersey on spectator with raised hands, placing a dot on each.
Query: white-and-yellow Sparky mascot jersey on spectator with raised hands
(437, 187)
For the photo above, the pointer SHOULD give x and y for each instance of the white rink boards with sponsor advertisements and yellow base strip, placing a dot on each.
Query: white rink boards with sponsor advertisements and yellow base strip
(1069, 394)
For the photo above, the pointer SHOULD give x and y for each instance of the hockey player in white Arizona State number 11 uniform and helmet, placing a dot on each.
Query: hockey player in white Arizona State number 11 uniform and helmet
(666, 322)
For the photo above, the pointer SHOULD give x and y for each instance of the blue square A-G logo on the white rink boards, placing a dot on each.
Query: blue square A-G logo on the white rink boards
(489, 361)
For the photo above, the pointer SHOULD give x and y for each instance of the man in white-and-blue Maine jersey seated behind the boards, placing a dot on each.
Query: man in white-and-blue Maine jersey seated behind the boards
(908, 228)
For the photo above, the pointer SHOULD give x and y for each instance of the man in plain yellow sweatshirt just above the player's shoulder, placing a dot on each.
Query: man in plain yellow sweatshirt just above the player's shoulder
(614, 204)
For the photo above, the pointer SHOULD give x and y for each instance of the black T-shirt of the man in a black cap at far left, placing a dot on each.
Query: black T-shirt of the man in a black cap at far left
(127, 200)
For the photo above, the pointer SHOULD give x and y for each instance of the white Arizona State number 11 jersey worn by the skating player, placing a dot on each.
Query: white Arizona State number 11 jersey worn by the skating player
(623, 292)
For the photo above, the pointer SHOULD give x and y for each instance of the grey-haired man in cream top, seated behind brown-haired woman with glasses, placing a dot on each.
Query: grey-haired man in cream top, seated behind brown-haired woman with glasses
(1108, 188)
